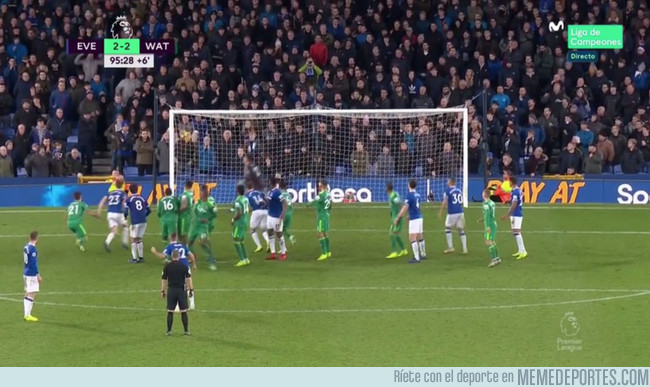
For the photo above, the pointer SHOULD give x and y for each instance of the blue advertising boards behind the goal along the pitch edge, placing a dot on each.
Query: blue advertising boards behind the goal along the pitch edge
(622, 189)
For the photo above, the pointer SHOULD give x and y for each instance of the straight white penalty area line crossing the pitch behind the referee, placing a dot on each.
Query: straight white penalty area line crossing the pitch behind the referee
(349, 288)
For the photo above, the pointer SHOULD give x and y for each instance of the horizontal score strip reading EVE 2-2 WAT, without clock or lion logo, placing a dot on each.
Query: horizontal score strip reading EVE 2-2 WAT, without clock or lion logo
(157, 47)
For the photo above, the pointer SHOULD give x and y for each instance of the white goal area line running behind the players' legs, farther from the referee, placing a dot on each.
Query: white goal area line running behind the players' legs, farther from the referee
(369, 230)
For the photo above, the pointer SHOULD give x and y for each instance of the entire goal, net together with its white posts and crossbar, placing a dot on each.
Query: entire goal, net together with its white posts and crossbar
(356, 151)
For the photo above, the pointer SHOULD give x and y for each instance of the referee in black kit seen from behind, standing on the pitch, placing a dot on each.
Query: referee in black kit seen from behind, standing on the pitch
(176, 276)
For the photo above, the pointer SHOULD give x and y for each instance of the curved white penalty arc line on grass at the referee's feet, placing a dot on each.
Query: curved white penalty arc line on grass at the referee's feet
(315, 311)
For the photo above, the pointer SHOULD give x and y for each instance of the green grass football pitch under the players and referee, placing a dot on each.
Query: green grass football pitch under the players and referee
(580, 298)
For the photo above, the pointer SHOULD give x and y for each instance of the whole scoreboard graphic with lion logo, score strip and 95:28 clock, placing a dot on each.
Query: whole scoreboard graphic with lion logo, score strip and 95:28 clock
(122, 50)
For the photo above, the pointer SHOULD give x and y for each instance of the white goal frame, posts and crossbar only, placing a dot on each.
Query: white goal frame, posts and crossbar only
(257, 114)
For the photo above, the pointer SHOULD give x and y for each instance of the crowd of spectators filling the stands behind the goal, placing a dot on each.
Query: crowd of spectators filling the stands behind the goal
(535, 112)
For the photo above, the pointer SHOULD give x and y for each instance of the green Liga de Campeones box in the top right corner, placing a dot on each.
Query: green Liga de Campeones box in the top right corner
(595, 37)
